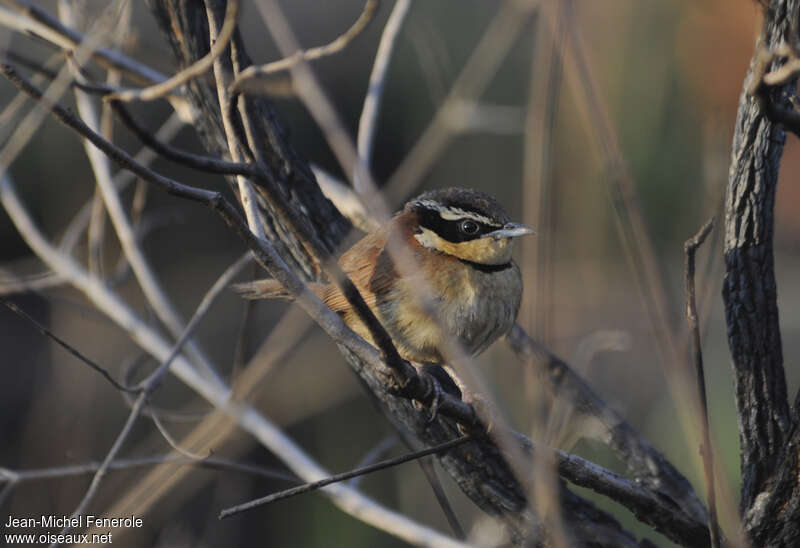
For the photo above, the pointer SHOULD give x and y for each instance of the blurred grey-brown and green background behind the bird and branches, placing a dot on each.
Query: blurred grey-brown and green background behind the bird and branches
(669, 74)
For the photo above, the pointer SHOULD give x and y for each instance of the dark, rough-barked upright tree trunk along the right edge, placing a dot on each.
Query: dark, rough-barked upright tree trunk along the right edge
(768, 429)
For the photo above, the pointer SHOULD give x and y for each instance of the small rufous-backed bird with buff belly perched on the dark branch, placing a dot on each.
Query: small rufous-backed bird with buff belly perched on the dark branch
(461, 242)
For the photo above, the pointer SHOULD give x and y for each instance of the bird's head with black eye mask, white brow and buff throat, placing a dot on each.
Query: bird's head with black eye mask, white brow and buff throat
(465, 223)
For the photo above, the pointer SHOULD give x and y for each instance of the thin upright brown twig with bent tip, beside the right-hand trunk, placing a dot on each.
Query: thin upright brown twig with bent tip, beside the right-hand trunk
(690, 248)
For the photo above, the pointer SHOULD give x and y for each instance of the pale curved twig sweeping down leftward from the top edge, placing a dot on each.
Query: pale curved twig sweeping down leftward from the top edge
(195, 69)
